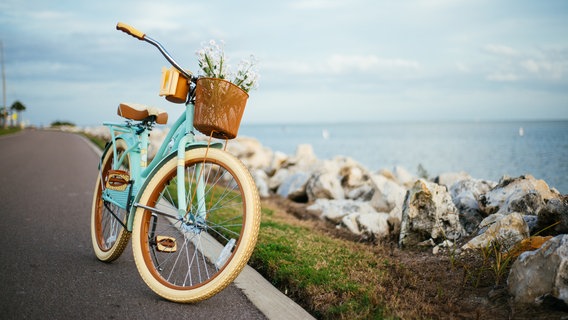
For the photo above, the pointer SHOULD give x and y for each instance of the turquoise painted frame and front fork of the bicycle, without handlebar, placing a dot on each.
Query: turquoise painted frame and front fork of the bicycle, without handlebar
(181, 137)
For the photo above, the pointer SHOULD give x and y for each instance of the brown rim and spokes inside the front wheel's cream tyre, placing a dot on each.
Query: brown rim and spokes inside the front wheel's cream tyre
(184, 254)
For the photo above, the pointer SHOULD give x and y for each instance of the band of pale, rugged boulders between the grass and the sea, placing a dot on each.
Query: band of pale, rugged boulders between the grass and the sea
(522, 217)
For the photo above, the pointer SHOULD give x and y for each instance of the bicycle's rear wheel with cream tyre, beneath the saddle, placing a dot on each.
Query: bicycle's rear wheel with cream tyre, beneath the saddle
(108, 235)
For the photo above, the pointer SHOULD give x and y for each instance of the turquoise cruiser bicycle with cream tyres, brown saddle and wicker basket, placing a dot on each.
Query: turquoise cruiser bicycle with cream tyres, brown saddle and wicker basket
(193, 211)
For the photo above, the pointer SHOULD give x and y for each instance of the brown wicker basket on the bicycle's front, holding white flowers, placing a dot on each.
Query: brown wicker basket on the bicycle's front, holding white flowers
(219, 107)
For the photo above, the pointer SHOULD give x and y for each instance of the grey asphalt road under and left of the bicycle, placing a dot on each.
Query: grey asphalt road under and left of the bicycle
(47, 267)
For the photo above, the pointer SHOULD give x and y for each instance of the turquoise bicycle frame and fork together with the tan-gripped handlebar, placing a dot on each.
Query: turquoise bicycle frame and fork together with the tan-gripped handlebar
(181, 137)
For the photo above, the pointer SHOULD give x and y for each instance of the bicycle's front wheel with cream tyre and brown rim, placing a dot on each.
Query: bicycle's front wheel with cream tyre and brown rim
(190, 254)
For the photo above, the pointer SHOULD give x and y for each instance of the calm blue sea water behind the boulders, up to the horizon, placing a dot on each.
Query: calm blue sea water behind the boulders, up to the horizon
(484, 150)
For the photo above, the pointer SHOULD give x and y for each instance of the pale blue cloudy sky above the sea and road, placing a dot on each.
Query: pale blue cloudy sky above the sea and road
(319, 61)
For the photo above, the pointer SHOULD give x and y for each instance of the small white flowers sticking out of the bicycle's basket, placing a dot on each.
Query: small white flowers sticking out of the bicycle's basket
(213, 63)
